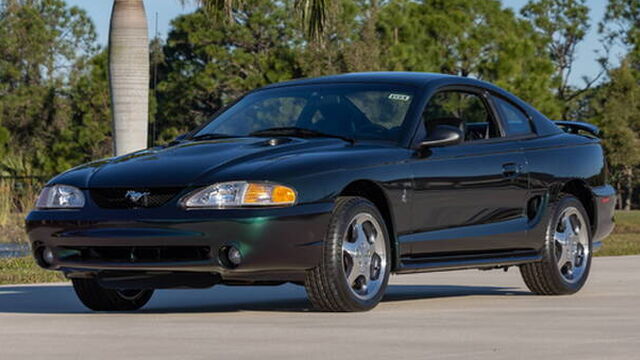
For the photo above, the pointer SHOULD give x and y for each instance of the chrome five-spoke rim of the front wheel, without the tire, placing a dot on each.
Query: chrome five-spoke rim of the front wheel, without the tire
(364, 256)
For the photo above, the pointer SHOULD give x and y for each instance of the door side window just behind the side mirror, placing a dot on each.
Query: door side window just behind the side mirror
(462, 109)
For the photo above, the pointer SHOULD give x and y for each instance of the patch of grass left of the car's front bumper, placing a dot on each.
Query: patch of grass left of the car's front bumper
(24, 270)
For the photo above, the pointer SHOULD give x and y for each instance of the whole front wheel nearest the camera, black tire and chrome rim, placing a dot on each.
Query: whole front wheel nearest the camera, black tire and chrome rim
(355, 267)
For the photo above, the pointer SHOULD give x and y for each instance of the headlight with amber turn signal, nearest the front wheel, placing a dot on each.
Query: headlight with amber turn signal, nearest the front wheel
(240, 193)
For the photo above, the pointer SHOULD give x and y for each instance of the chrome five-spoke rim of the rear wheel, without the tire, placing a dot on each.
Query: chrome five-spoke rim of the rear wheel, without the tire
(571, 240)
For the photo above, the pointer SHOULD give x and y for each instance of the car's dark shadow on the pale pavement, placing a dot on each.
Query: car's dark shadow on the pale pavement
(60, 299)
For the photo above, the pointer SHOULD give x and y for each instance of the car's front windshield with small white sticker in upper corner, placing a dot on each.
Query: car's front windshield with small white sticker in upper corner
(346, 111)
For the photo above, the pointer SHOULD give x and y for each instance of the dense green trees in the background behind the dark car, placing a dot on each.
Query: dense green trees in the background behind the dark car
(54, 94)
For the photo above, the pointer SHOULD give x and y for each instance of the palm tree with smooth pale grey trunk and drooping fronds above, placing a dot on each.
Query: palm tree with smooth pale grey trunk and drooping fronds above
(129, 62)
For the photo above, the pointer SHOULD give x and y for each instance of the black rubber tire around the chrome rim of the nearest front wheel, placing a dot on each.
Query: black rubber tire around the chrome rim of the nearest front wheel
(326, 284)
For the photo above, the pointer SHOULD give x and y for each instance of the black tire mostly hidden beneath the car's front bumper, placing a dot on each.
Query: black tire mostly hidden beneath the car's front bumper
(97, 298)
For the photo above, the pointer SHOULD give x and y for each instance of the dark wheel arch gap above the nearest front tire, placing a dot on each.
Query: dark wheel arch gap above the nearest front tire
(373, 192)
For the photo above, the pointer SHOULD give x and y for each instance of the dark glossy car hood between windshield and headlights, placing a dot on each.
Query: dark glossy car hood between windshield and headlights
(192, 163)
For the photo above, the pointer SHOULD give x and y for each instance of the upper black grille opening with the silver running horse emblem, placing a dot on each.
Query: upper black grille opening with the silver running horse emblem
(132, 198)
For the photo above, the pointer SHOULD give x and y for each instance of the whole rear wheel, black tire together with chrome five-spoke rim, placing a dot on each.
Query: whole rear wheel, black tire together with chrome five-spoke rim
(567, 254)
